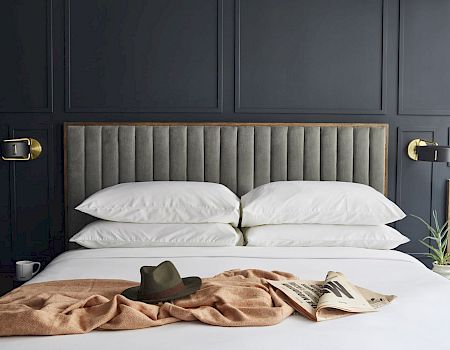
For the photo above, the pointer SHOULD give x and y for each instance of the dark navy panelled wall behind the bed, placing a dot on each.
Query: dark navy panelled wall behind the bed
(216, 60)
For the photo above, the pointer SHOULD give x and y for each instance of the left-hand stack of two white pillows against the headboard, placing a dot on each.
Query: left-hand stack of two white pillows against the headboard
(161, 213)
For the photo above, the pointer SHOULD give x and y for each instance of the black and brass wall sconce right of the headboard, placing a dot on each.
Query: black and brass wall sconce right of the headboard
(428, 151)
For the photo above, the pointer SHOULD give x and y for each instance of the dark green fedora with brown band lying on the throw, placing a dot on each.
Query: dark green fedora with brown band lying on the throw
(162, 283)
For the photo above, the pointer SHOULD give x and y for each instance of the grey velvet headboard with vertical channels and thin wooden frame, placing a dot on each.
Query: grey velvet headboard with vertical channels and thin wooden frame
(240, 156)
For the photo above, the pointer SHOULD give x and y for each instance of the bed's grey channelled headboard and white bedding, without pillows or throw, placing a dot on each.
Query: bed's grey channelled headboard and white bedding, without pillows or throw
(243, 157)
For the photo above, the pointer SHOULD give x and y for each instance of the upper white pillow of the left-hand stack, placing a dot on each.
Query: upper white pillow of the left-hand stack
(181, 202)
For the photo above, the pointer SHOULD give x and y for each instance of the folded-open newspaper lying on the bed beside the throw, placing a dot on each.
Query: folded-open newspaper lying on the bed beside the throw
(333, 298)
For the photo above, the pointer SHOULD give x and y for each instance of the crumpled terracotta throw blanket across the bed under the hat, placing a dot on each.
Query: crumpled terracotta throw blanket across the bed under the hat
(234, 298)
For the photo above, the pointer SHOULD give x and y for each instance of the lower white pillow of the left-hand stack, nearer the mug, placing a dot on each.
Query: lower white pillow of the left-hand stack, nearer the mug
(108, 234)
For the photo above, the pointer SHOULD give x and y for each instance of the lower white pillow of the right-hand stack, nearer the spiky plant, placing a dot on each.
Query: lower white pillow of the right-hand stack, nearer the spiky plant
(311, 235)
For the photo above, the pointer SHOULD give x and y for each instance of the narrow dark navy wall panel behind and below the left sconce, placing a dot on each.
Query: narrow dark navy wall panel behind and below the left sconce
(31, 188)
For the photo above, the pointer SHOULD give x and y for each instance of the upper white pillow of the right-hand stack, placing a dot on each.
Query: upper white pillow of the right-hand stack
(317, 202)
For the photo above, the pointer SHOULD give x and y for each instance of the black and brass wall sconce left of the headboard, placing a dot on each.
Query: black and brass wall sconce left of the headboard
(21, 149)
